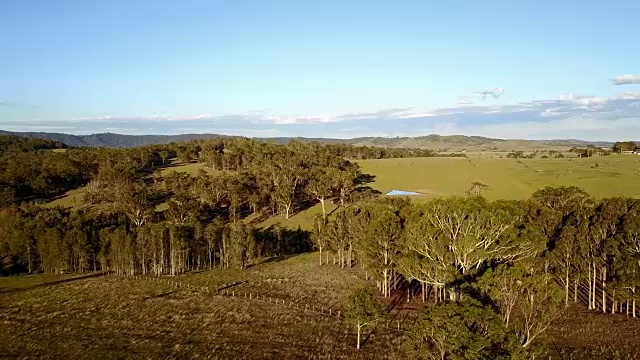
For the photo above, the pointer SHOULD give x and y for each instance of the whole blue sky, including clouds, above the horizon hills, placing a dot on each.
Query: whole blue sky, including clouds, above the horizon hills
(342, 69)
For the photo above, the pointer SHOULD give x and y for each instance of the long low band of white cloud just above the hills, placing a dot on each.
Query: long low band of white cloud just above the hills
(566, 116)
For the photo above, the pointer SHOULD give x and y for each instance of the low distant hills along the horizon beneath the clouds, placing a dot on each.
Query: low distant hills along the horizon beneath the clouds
(436, 142)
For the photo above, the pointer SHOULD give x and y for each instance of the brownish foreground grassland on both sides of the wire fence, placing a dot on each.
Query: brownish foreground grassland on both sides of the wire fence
(113, 317)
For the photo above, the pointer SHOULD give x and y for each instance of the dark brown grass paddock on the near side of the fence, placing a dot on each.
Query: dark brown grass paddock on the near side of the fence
(112, 317)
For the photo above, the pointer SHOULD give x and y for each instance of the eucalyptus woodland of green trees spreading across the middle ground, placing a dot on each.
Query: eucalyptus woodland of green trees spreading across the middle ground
(505, 270)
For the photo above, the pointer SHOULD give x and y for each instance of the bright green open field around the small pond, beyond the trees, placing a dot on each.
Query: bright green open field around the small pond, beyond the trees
(616, 175)
